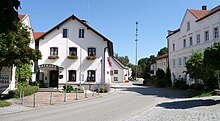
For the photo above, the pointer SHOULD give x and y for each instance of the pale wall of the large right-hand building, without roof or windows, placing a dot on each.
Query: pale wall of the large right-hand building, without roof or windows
(180, 54)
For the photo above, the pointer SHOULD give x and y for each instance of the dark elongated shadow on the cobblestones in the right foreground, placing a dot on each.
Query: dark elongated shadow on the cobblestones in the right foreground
(188, 104)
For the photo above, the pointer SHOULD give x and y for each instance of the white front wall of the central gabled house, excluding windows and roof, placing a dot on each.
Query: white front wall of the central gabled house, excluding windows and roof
(81, 65)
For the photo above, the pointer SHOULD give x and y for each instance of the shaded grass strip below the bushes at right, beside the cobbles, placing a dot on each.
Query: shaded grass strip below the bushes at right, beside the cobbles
(199, 93)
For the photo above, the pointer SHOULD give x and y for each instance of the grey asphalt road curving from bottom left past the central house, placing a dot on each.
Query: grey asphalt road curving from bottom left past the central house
(124, 103)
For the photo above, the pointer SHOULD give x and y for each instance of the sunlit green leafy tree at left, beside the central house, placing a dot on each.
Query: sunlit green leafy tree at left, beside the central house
(15, 49)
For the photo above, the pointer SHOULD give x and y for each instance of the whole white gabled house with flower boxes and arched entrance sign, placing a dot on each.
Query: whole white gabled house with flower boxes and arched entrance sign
(74, 53)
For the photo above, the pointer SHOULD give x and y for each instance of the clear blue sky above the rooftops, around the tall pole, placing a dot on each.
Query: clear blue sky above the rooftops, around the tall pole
(116, 19)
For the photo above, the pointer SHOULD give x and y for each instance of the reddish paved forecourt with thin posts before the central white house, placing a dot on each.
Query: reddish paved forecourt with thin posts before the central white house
(42, 99)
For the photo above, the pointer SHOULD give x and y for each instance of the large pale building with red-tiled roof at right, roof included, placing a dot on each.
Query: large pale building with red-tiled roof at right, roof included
(199, 29)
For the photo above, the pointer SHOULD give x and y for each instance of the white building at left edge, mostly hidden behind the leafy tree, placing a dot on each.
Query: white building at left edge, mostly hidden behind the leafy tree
(7, 78)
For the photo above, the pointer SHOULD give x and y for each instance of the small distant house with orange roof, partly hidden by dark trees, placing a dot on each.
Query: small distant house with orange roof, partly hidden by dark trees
(161, 62)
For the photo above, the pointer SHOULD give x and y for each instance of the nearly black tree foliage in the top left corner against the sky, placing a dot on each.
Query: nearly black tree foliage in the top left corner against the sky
(8, 15)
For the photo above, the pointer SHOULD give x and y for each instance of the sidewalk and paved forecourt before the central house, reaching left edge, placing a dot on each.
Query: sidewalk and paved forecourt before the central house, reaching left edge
(45, 99)
